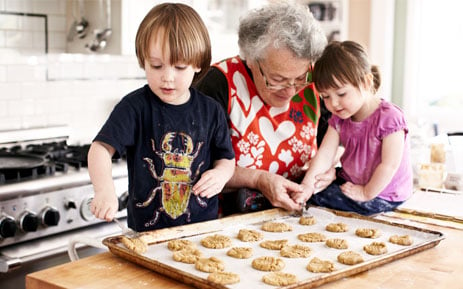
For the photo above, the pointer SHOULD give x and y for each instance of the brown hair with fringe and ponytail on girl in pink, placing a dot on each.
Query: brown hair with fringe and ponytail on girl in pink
(344, 62)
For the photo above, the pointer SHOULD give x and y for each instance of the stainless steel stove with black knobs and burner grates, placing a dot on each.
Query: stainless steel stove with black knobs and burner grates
(44, 194)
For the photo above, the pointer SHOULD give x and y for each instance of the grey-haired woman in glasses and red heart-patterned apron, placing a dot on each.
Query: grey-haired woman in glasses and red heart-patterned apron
(272, 107)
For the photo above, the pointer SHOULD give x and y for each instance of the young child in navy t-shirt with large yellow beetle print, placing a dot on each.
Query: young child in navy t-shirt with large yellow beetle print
(176, 139)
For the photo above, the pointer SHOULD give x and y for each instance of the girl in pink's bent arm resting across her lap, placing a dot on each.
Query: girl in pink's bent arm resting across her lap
(391, 155)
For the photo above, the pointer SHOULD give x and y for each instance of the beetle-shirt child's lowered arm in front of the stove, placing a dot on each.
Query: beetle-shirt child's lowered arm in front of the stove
(104, 204)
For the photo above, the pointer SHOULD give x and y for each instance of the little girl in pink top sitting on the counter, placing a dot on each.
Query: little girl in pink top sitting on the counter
(376, 173)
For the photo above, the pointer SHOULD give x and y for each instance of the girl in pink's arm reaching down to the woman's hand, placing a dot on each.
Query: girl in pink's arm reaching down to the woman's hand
(321, 163)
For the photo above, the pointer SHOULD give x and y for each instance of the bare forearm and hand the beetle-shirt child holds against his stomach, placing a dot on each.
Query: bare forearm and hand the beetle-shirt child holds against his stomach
(212, 181)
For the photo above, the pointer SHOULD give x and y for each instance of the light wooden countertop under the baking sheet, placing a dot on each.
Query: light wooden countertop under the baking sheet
(438, 267)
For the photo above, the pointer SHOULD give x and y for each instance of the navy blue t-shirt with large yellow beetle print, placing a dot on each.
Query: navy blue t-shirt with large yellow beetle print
(168, 147)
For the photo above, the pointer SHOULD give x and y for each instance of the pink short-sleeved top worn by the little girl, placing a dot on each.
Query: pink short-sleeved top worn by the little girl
(362, 142)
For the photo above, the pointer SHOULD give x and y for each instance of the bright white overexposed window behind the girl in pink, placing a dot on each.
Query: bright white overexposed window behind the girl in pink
(433, 61)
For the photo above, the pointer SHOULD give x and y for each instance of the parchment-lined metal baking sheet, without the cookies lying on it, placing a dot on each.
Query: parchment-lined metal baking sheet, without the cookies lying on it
(159, 258)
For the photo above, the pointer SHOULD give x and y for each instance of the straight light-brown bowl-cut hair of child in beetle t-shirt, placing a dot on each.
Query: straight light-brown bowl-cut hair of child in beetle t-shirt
(183, 32)
